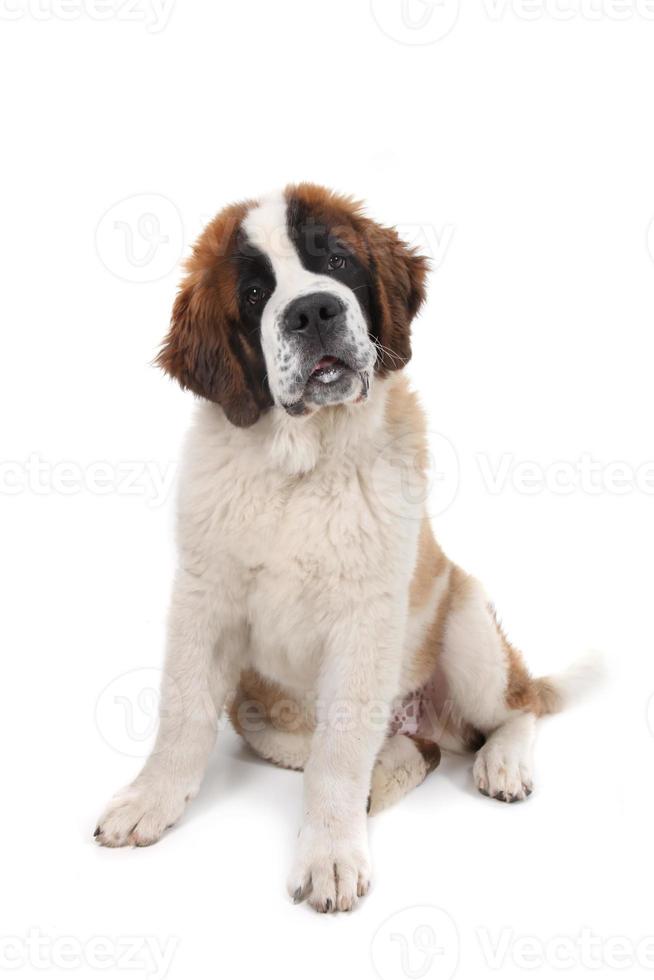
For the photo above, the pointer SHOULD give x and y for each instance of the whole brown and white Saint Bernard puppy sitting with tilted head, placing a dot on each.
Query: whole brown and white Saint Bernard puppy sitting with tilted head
(311, 597)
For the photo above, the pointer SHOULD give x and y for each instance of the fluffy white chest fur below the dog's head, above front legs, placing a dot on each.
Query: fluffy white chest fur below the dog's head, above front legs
(293, 520)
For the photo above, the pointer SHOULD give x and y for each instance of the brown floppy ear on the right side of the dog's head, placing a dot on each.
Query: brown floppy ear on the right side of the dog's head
(399, 274)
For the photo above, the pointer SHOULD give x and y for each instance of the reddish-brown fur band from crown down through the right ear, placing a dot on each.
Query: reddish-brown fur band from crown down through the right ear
(397, 272)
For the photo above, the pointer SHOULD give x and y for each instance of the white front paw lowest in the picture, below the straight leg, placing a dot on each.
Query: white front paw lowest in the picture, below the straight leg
(331, 871)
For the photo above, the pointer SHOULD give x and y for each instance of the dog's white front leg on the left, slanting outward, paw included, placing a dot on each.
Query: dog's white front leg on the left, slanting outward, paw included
(200, 669)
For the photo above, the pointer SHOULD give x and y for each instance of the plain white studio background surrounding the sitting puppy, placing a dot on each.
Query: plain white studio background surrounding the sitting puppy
(518, 149)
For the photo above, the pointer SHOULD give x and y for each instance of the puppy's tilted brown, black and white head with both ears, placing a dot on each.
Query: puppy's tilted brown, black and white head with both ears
(297, 300)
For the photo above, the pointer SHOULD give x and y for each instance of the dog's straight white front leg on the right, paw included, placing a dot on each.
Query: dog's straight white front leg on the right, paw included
(357, 684)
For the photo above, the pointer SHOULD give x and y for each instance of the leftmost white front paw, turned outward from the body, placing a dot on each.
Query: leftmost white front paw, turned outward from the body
(139, 814)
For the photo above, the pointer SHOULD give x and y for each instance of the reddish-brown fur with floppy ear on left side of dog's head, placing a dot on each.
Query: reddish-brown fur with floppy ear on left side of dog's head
(206, 349)
